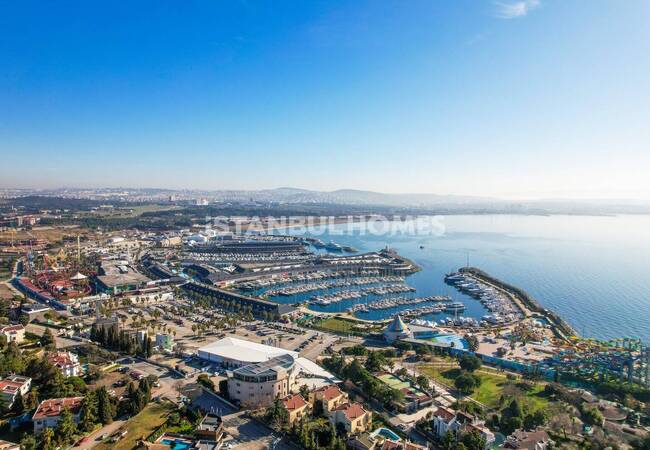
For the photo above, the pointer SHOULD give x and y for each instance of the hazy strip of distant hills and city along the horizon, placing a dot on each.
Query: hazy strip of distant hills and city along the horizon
(351, 197)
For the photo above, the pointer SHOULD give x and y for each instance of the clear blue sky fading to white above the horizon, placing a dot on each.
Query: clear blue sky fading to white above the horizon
(514, 98)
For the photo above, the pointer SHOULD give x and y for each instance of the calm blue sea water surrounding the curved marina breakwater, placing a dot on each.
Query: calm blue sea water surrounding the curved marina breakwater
(594, 271)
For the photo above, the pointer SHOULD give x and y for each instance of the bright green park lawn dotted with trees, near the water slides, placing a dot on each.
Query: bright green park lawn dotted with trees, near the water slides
(493, 387)
